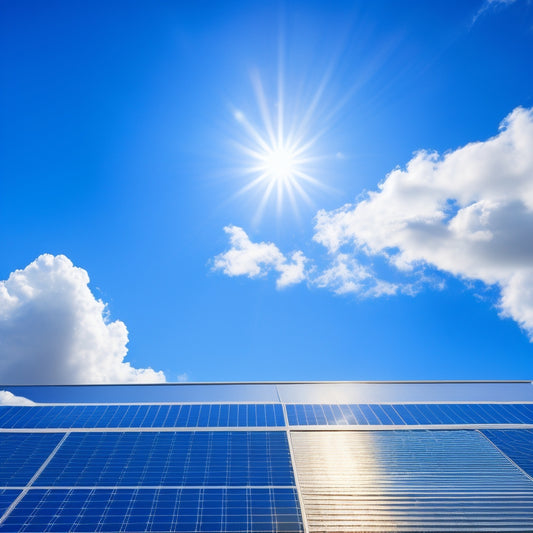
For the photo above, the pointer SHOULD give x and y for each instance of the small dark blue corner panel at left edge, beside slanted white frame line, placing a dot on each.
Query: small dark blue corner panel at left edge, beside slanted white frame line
(21, 455)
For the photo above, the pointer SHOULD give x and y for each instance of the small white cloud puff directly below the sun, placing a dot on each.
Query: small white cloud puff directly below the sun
(246, 258)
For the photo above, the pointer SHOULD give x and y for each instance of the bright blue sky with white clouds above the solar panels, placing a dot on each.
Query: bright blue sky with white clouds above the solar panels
(123, 148)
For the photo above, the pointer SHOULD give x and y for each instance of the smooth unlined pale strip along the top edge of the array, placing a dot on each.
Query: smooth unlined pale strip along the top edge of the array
(335, 393)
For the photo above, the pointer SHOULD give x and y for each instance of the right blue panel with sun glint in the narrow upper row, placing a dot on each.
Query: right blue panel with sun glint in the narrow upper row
(408, 414)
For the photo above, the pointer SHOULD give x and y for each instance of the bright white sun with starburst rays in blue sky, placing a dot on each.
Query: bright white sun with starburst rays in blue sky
(277, 155)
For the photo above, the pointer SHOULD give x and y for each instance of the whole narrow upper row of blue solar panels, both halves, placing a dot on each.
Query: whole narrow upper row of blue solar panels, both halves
(259, 415)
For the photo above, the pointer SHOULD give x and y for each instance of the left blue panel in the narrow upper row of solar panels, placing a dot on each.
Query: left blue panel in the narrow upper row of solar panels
(126, 416)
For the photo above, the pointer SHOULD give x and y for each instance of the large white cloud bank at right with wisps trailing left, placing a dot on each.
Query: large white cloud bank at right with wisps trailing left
(468, 213)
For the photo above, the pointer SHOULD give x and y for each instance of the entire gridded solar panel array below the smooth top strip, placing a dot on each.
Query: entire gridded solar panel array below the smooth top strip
(265, 467)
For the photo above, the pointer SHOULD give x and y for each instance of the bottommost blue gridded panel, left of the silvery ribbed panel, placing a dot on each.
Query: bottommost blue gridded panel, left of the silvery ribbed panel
(185, 510)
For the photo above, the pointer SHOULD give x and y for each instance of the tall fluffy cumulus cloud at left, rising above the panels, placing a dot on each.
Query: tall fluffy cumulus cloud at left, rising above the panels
(53, 330)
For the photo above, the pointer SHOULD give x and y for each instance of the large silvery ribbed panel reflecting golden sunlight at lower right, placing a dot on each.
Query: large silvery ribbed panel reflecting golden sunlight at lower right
(409, 481)
